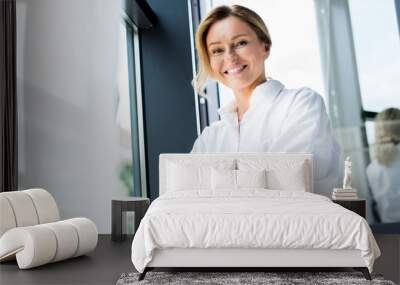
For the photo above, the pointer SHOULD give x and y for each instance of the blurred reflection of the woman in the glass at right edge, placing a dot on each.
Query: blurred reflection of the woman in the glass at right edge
(384, 173)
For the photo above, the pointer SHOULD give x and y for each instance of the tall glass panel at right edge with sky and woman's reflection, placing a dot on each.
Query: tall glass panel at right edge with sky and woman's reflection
(377, 45)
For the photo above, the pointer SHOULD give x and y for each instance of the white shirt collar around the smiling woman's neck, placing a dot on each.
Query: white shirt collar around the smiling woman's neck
(265, 92)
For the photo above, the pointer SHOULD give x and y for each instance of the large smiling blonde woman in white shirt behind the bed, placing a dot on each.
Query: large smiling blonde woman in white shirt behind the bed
(233, 44)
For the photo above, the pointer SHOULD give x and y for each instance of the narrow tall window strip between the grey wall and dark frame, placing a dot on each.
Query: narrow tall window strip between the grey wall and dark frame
(128, 113)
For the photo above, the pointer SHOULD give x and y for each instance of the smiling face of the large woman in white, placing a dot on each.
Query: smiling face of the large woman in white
(236, 54)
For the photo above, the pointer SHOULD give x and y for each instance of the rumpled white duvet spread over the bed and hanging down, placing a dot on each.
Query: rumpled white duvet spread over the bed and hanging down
(252, 218)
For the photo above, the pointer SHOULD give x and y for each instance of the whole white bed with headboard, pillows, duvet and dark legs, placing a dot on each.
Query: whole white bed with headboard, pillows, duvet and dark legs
(247, 210)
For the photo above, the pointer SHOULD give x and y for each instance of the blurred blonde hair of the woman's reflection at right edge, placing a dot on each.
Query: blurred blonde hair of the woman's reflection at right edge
(387, 135)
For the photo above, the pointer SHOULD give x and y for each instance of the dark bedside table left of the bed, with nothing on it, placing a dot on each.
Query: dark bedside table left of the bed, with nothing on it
(138, 205)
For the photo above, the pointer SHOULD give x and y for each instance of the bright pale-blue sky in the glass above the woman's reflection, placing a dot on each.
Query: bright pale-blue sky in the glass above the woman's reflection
(377, 46)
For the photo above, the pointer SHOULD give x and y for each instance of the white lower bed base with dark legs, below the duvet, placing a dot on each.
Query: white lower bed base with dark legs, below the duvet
(234, 259)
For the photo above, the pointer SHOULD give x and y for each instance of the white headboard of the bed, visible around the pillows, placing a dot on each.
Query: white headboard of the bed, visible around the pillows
(275, 161)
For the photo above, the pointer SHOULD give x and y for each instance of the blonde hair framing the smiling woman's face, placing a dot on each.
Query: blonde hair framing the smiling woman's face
(217, 14)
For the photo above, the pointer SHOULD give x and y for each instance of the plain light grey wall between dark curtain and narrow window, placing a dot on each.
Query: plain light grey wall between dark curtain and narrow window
(68, 137)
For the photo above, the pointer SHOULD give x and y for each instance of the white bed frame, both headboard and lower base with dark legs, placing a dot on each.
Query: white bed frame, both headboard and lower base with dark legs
(250, 259)
